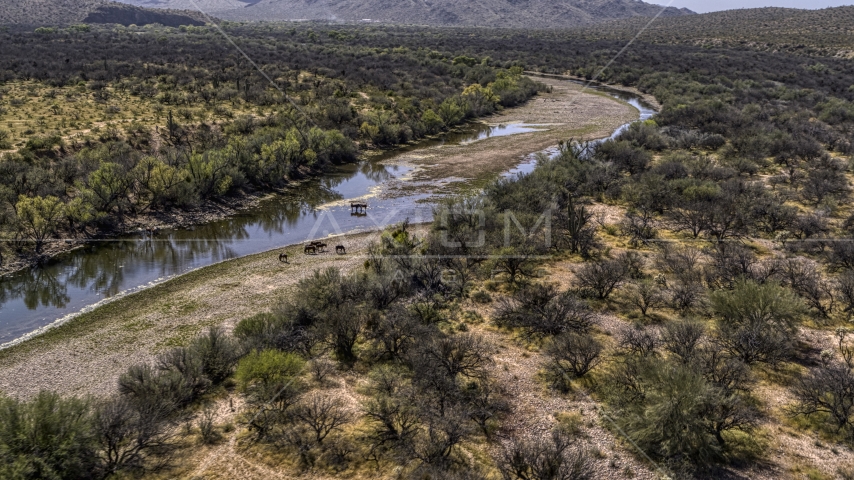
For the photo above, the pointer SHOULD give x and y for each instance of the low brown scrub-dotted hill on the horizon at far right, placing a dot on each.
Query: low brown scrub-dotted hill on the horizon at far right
(828, 31)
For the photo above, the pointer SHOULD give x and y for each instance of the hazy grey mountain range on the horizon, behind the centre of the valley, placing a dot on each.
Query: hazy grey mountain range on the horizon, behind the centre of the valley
(492, 13)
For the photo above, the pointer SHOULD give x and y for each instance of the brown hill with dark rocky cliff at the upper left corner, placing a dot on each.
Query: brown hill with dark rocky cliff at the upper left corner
(67, 12)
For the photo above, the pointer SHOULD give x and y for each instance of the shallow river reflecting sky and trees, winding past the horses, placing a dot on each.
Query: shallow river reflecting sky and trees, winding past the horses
(38, 298)
